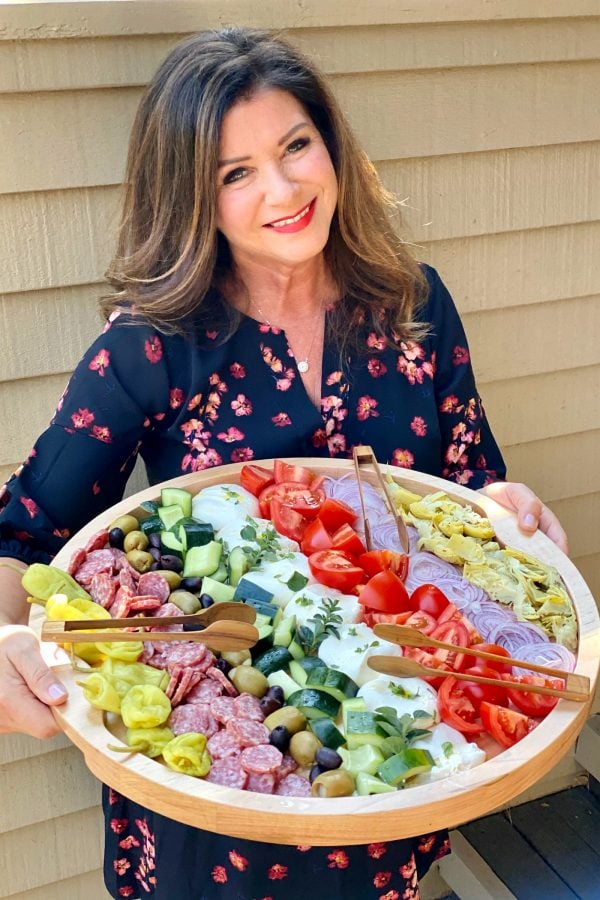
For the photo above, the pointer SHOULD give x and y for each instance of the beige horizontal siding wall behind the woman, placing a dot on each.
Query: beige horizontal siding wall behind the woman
(482, 117)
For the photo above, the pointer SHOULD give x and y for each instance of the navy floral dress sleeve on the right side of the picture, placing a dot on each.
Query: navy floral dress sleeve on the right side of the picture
(470, 454)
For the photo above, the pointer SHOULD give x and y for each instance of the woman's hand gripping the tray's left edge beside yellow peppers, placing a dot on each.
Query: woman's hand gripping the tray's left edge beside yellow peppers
(27, 686)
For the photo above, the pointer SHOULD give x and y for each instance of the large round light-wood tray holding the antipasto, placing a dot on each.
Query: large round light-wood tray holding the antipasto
(354, 820)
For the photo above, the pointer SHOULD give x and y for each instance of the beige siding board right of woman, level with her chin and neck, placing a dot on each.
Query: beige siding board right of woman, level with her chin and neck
(501, 270)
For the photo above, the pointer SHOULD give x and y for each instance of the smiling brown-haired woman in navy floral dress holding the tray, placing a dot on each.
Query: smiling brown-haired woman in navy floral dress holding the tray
(263, 306)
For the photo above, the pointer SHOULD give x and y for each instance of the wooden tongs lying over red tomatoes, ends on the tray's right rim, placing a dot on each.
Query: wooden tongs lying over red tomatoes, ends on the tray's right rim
(577, 687)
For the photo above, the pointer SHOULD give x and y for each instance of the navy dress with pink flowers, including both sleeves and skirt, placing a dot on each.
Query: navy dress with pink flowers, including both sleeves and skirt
(187, 403)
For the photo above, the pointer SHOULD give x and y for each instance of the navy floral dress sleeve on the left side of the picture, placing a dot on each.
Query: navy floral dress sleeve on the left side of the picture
(79, 466)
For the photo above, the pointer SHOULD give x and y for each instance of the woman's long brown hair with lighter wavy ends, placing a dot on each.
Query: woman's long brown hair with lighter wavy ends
(170, 257)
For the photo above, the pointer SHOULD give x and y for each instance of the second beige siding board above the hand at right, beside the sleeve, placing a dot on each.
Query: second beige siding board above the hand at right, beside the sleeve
(543, 406)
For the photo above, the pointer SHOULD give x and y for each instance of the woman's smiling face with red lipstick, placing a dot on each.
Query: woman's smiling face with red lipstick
(277, 189)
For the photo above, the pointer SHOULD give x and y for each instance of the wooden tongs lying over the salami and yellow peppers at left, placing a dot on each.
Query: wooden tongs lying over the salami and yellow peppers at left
(223, 626)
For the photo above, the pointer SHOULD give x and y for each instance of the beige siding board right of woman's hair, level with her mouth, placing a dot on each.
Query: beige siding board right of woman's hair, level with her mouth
(501, 190)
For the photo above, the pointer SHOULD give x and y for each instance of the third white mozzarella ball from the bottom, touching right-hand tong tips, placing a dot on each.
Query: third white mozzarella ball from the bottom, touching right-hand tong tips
(349, 653)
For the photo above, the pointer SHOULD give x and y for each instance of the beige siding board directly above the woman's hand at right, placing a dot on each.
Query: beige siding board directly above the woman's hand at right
(556, 469)
